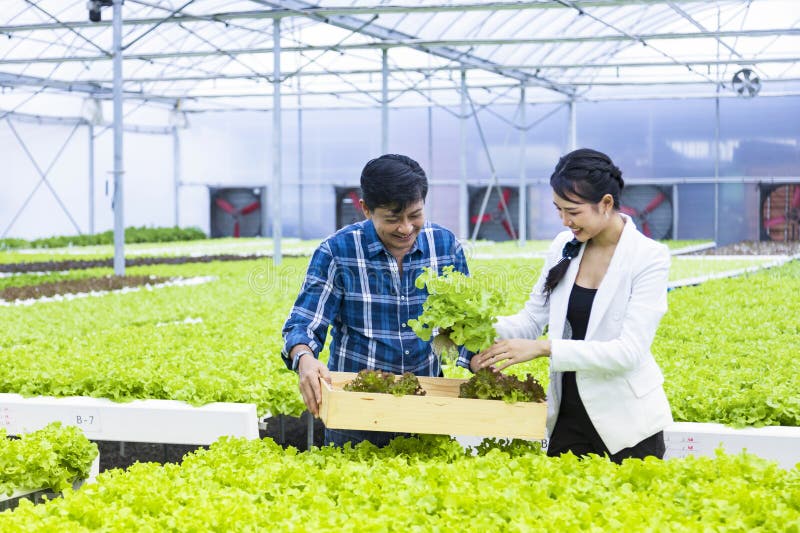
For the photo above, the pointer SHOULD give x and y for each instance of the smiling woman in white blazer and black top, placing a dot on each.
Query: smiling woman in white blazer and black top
(602, 293)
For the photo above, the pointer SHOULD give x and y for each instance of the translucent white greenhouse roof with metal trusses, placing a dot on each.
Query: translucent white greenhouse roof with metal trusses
(218, 55)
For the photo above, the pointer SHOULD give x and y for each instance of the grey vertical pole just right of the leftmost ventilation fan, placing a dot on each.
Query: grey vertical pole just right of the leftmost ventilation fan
(276, 141)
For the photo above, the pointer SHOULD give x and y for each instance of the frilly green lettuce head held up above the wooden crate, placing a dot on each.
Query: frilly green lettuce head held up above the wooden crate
(460, 304)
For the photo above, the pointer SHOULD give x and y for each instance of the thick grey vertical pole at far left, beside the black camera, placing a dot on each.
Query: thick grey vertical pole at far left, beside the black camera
(119, 219)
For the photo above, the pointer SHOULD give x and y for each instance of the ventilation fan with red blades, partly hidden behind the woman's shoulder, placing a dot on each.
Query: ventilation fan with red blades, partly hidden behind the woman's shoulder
(651, 209)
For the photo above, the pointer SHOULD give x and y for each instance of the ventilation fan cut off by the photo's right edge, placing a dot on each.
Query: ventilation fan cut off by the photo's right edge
(780, 212)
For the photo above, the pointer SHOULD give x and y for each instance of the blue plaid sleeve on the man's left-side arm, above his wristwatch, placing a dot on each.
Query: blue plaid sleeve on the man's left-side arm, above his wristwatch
(315, 307)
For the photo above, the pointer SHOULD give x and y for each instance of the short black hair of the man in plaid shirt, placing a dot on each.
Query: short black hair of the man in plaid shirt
(393, 181)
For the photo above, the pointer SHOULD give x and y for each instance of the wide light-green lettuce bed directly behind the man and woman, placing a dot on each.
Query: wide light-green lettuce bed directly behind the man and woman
(727, 347)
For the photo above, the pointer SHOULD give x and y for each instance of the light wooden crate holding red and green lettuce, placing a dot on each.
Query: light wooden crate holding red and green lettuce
(440, 411)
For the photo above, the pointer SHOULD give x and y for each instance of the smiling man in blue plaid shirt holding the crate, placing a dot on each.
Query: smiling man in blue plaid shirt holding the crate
(361, 282)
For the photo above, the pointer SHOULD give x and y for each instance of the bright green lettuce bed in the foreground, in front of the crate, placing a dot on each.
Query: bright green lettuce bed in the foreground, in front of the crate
(423, 484)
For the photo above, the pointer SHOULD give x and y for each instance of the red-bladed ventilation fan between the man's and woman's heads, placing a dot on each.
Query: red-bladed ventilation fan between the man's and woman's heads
(502, 211)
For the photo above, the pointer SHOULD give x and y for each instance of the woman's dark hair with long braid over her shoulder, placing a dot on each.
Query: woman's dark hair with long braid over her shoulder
(588, 175)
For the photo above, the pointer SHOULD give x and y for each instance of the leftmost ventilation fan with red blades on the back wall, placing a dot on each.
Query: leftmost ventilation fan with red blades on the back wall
(235, 212)
